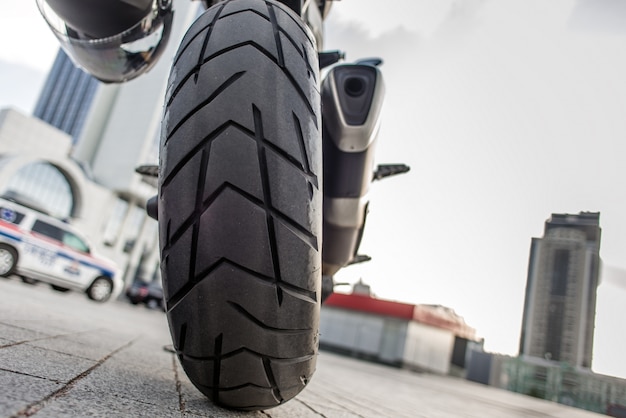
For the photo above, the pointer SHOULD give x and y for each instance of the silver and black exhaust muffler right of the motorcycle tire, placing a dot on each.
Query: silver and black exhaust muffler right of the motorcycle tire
(352, 97)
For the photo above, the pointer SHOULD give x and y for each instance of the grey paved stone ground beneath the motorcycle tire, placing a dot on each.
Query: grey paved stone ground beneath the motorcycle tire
(62, 355)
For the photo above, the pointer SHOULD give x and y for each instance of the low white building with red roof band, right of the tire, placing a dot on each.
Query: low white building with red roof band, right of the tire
(429, 338)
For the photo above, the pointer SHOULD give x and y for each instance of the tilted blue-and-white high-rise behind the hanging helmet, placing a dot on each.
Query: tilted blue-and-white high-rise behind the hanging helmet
(114, 127)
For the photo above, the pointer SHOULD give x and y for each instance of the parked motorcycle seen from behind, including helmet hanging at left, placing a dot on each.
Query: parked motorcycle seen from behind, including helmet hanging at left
(260, 157)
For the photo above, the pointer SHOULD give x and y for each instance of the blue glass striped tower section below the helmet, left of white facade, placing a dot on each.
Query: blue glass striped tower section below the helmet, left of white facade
(66, 96)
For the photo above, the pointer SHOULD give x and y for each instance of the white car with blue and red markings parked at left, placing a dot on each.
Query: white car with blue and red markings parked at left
(36, 246)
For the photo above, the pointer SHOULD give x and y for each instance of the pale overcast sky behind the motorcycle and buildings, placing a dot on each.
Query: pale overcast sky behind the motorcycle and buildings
(506, 110)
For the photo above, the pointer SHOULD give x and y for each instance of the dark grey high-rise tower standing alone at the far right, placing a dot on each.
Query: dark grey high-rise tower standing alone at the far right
(560, 305)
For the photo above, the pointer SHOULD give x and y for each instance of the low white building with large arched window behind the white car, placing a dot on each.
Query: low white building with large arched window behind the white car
(35, 170)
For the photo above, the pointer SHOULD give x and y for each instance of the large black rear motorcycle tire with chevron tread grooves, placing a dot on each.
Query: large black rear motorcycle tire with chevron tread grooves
(240, 204)
